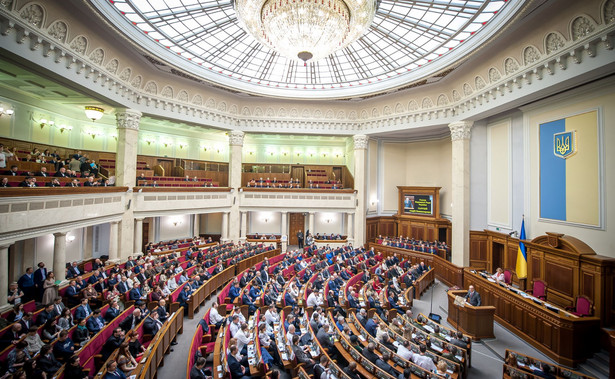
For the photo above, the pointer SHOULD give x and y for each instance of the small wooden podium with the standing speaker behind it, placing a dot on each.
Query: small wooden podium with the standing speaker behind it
(476, 322)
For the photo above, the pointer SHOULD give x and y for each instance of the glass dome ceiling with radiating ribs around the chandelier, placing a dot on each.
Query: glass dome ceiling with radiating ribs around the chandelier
(407, 41)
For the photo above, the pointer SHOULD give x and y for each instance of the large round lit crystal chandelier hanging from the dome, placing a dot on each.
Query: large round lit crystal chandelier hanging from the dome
(306, 29)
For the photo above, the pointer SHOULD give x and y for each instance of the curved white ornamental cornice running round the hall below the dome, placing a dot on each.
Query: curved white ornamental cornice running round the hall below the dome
(592, 42)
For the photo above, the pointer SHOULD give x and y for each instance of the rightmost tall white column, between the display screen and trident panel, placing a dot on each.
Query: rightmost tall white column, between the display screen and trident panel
(460, 247)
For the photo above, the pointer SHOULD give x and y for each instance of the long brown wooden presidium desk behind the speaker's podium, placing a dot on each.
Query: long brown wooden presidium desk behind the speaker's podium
(560, 335)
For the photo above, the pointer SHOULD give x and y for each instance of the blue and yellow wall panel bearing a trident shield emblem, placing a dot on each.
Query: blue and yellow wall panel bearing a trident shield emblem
(569, 169)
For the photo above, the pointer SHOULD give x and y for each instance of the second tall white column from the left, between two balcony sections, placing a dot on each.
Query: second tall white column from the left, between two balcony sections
(235, 139)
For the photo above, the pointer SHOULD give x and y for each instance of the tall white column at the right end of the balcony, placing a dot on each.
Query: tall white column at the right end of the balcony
(360, 165)
